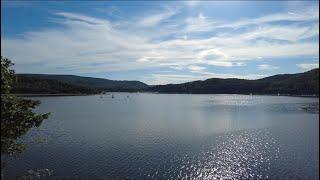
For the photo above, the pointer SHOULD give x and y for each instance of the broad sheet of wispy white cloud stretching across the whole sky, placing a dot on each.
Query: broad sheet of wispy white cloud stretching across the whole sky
(80, 41)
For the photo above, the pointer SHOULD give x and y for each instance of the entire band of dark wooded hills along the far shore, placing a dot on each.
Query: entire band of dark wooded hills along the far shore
(286, 84)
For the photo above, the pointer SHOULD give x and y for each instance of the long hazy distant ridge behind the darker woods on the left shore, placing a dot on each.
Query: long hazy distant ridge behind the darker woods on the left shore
(88, 82)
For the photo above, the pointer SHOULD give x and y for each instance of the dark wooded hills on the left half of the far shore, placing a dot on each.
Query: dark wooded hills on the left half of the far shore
(53, 84)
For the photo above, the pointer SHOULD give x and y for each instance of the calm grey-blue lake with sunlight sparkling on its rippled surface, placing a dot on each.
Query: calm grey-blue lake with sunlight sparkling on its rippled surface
(174, 136)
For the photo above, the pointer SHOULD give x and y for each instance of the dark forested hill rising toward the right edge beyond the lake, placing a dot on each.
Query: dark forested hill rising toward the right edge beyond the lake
(291, 84)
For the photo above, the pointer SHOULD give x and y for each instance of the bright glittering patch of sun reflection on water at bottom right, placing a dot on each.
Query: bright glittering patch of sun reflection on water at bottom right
(238, 155)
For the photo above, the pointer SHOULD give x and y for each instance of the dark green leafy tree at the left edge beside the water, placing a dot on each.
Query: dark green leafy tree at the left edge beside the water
(17, 114)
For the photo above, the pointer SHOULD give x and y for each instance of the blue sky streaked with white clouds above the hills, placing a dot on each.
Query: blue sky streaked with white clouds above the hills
(160, 42)
